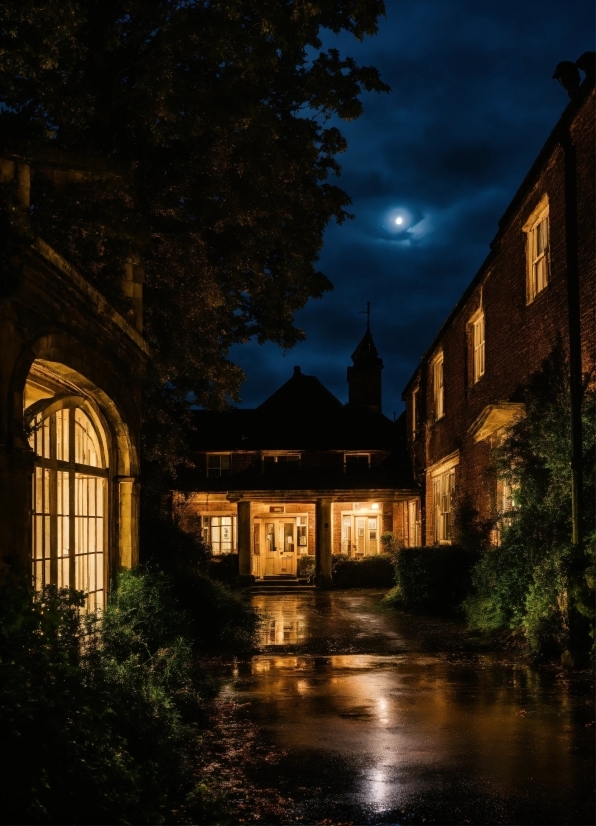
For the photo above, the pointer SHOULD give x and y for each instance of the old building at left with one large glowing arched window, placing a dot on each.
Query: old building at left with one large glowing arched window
(71, 368)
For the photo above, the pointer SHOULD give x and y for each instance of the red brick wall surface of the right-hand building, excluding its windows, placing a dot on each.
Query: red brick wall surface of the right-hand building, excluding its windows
(518, 335)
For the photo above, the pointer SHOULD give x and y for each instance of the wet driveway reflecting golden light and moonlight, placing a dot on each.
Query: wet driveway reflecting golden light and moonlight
(369, 717)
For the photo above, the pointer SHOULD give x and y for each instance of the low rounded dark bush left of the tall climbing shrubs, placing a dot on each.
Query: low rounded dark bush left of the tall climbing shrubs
(435, 579)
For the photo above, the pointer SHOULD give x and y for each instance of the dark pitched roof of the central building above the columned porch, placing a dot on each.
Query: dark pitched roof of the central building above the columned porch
(302, 415)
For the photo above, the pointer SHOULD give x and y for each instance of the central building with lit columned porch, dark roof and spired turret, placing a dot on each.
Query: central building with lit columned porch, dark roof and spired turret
(302, 475)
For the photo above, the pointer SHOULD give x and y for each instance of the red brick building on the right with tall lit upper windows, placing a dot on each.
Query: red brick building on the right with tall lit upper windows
(536, 286)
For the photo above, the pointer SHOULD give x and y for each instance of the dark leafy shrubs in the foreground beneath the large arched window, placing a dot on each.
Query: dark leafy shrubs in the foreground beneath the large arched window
(102, 717)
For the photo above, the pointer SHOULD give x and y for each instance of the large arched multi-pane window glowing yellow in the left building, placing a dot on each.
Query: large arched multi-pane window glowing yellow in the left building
(69, 501)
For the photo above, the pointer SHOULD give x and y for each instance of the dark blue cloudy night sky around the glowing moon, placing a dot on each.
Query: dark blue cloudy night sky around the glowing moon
(472, 102)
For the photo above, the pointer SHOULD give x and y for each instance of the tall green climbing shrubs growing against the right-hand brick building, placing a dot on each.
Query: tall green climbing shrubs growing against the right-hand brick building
(534, 582)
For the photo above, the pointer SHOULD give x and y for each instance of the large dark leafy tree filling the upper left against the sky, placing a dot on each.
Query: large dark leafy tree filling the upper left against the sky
(221, 114)
